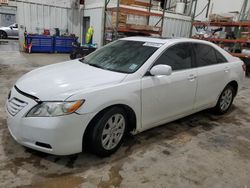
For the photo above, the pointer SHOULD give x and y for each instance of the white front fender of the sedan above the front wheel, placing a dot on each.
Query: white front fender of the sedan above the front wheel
(127, 93)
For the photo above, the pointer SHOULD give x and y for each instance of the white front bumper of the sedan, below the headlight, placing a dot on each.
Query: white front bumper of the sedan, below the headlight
(60, 135)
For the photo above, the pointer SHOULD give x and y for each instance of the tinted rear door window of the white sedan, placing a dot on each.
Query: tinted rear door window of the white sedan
(205, 55)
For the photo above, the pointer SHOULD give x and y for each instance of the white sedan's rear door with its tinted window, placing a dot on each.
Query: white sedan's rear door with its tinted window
(213, 73)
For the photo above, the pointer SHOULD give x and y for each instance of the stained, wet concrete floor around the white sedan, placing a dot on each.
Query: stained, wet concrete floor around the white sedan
(201, 150)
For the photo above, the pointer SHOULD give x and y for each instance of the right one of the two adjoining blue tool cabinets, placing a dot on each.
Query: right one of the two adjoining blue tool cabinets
(63, 44)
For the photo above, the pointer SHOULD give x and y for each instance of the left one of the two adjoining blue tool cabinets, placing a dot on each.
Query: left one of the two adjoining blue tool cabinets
(40, 43)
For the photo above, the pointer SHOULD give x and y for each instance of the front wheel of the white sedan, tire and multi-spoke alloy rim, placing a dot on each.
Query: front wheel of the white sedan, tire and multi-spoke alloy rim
(108, 132)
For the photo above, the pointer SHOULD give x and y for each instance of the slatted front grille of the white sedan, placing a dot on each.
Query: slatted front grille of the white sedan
(15, 105)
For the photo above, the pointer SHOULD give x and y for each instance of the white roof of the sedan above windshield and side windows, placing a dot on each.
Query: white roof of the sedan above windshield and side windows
(163, 40)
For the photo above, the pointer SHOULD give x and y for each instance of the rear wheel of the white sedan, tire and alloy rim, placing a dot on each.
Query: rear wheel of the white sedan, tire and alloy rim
(225, 100)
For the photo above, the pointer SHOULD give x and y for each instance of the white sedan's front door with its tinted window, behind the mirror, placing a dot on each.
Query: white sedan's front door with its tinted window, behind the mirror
(166, 97)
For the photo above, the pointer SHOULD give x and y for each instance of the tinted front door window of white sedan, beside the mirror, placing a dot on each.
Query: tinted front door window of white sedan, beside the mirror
(178, 57)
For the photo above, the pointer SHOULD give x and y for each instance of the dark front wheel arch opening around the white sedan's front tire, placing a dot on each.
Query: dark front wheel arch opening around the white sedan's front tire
(131, 115)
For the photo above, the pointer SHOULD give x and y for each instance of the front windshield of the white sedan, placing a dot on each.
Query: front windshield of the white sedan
(122, 56)
